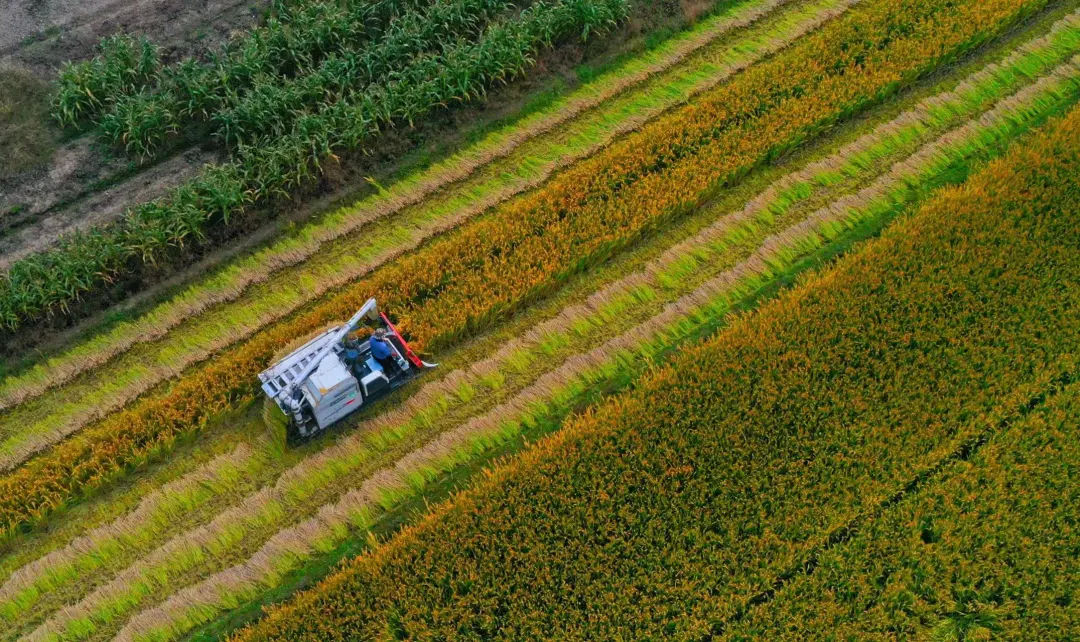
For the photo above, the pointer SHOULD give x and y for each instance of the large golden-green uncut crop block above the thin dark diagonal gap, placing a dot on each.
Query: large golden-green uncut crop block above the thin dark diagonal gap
(669, 507)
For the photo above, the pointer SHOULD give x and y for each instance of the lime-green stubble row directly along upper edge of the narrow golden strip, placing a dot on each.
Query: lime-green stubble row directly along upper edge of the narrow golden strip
(38, 424)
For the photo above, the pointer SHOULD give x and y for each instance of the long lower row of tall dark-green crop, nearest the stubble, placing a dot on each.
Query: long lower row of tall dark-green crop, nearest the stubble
(51, 282)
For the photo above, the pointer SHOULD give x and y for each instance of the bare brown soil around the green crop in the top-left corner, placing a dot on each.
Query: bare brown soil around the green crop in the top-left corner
(45, 186)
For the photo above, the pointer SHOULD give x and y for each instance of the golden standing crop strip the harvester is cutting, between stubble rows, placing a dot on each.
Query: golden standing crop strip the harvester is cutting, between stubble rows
(533, 244)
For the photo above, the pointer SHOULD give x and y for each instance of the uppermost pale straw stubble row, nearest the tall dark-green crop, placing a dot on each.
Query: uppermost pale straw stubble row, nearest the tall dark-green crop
(232, 283)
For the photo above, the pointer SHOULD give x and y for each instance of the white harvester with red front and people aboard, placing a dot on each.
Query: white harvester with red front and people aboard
(332, 376)
